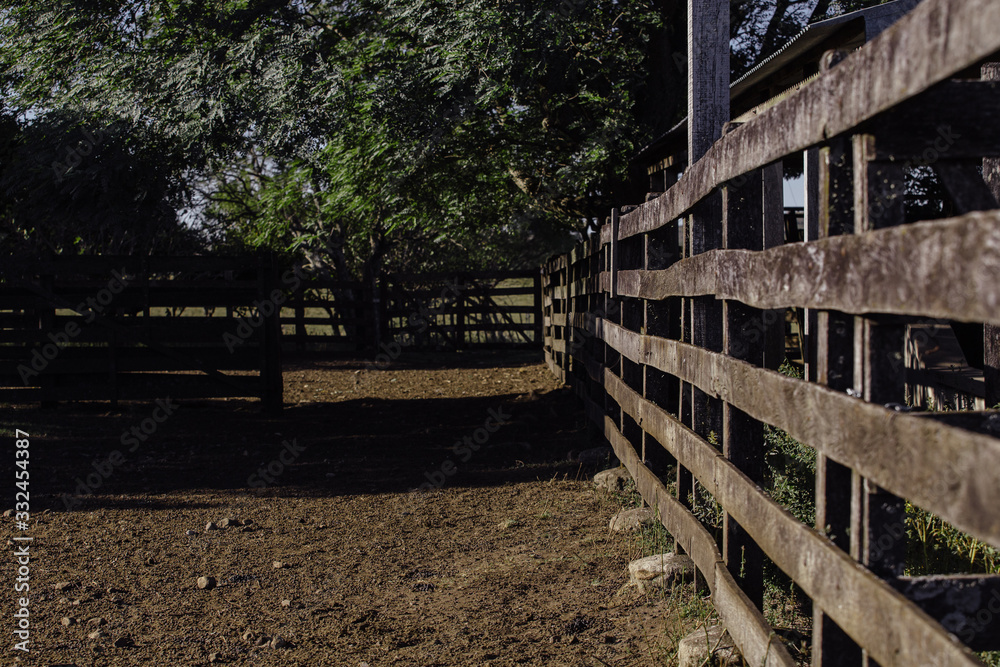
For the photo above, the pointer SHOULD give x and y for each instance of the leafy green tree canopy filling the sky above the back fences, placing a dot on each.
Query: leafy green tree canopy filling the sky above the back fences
(357, 135)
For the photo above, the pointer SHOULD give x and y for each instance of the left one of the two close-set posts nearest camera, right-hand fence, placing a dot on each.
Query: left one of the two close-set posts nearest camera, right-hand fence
(829, 212)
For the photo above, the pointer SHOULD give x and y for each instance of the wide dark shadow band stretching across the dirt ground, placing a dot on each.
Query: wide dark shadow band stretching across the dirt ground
(88, 456)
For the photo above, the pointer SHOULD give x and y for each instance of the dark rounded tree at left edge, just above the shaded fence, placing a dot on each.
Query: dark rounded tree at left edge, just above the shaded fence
(71, 185)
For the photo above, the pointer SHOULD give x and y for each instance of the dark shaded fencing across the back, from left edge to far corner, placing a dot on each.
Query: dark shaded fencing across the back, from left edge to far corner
(110, 328)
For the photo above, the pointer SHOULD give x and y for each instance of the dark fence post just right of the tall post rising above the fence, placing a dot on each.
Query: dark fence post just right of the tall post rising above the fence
(743, 227)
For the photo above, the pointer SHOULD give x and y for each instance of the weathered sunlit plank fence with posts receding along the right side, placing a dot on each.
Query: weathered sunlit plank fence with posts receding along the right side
(664, 325)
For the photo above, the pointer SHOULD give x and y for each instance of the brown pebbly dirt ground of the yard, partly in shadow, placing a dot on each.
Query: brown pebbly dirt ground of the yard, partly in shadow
(333, 558)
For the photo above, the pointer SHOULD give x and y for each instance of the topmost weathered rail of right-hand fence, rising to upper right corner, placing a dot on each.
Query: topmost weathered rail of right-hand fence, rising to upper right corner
(932, 43)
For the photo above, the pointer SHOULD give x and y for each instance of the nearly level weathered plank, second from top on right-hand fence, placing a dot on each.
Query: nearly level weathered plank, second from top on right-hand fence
(948, 269)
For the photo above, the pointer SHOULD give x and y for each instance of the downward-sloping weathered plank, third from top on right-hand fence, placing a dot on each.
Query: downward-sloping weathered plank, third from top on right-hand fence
(950, 472)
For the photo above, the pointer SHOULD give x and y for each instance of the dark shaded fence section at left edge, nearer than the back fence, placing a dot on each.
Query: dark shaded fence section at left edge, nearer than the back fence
(108, 328)
